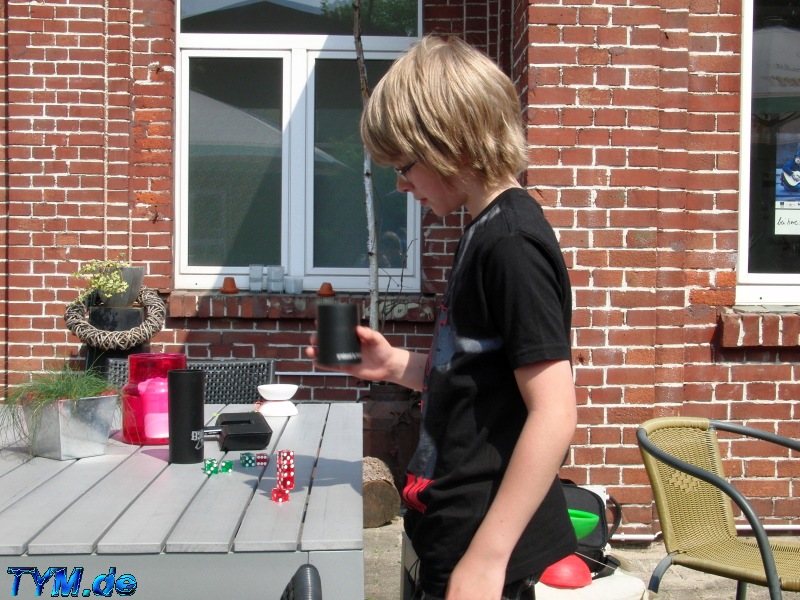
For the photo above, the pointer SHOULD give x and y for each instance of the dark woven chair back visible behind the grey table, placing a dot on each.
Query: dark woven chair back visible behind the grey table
(228, 380)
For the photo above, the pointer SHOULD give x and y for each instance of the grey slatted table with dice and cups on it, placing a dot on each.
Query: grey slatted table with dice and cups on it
(182, 533)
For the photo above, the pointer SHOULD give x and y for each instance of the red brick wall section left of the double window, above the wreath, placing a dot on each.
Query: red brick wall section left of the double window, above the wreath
(89, 161)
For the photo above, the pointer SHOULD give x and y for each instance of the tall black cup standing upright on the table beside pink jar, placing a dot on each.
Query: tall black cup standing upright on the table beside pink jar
(186, 415)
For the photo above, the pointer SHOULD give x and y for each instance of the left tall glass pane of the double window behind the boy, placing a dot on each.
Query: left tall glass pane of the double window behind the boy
(235, 154)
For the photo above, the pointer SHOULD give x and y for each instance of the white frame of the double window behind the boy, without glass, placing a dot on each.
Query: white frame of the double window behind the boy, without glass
(298, 53)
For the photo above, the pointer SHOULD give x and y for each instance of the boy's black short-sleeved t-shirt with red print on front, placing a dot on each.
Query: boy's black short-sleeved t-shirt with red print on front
(508, 304)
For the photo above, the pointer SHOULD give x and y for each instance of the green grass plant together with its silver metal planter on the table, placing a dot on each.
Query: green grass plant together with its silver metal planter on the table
(64, 414)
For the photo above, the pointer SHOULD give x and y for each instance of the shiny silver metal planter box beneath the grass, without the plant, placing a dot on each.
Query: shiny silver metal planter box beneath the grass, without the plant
(70, 429)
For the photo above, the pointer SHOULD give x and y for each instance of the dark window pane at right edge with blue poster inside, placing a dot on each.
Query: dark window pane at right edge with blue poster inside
(775, 139)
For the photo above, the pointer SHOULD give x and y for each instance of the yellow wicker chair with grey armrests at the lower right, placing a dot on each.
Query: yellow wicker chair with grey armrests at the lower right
(682, 459)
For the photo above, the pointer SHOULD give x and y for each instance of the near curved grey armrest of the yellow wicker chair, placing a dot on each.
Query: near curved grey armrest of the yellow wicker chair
(759, 532)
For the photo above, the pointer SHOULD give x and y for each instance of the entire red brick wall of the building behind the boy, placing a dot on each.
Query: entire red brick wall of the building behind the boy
(633, 121)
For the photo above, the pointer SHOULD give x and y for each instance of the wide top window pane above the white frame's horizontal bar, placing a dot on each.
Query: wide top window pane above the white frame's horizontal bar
(378, 17)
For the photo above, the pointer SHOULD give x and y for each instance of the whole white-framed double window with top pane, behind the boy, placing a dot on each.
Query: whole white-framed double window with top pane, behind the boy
(271, 166)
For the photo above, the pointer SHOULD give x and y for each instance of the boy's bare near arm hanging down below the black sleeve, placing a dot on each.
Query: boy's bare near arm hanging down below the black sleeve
(549, 394)
